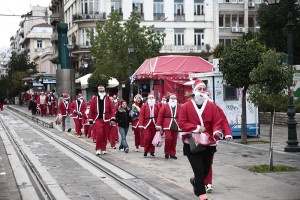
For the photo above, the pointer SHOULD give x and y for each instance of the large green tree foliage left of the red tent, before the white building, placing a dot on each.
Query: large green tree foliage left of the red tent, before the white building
(109, 45)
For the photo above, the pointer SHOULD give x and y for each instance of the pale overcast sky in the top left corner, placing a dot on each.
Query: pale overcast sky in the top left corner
(10, 24)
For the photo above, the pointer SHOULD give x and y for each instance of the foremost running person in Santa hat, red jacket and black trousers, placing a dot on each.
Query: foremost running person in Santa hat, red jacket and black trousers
(198, 116)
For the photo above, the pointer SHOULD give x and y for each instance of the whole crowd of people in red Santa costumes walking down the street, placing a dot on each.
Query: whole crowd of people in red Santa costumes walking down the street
(103, 117)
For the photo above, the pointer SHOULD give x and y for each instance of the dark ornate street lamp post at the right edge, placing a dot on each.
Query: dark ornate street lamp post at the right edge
(292, 142)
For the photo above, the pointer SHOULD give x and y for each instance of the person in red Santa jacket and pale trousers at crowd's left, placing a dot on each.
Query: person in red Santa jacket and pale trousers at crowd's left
(63, 109)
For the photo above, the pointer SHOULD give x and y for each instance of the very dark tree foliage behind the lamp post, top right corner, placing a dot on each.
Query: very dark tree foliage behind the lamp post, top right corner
(272, 20)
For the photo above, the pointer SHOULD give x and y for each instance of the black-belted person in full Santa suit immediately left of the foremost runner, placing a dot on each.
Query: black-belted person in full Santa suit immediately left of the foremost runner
(167, 120)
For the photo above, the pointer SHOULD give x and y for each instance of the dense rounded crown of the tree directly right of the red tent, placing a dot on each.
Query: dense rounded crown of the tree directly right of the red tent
(239, 60)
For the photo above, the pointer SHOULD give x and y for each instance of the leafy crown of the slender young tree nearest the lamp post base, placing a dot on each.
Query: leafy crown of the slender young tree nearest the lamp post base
(271, 81)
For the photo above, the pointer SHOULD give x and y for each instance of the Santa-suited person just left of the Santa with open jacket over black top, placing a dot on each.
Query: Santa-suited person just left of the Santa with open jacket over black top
(77, 108)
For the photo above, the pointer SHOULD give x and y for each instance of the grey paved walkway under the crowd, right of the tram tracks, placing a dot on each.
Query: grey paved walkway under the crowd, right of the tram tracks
(231, 180)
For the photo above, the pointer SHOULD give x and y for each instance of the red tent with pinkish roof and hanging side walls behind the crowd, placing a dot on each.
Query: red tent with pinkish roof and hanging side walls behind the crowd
(174, 70)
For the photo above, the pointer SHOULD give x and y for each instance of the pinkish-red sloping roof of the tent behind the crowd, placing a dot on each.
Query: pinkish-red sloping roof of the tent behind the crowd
(172, 66)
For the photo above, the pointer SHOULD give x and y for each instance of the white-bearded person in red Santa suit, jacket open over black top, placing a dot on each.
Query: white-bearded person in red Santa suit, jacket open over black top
(102, 115)
